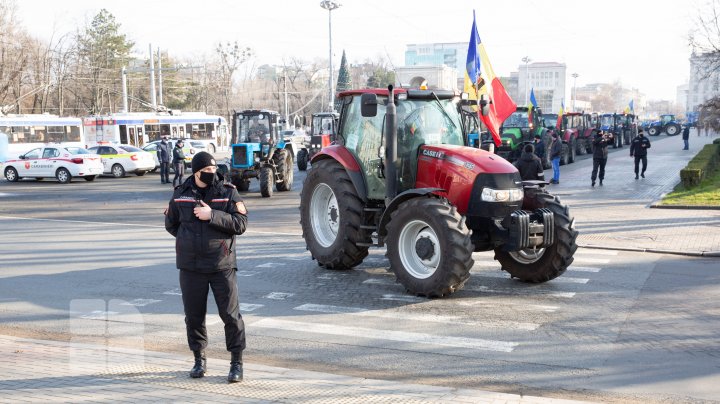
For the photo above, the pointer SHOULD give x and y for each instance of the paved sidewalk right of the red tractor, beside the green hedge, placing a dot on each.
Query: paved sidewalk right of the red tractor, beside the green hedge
(618, 214)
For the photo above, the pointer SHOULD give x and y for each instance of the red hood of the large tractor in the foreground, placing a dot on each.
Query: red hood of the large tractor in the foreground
(457, 169)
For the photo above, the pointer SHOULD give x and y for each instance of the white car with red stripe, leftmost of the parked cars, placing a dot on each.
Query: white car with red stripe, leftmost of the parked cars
(63, 163)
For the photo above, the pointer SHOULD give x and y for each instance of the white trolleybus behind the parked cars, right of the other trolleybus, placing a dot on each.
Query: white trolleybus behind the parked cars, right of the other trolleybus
(139, 128)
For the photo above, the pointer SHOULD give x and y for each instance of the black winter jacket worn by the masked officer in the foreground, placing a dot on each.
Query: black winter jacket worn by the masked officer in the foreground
(206, 246)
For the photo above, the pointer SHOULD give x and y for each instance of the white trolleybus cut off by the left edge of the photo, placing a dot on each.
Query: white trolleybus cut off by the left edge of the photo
(29, 131)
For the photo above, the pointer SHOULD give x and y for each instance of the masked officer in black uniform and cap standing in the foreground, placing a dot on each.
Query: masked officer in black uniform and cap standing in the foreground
(204, 215)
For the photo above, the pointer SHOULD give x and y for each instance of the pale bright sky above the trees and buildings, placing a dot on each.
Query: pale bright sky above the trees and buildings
(643, 44)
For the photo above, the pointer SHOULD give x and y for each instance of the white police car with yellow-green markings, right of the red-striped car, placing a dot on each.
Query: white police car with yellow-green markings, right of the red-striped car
(119, 159)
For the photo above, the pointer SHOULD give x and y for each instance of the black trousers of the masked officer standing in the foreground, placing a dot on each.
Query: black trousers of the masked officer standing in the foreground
(194, 287)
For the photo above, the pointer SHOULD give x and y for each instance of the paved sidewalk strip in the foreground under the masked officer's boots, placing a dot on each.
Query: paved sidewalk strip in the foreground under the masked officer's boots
(50, 371)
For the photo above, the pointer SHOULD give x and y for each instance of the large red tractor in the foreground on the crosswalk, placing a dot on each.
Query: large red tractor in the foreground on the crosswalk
(399, 176)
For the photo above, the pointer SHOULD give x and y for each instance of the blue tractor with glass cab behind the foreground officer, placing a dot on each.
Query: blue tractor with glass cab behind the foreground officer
(259, 151)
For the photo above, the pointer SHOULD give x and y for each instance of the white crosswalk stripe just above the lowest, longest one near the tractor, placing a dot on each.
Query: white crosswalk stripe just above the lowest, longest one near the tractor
(359, 311)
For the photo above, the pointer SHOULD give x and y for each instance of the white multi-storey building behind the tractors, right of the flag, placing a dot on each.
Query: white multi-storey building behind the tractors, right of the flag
(547, 79)
